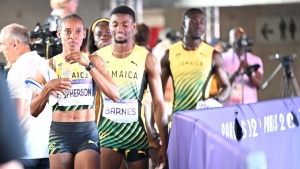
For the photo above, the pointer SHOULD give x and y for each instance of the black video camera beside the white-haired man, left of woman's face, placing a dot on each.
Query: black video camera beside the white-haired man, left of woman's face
(45, 42)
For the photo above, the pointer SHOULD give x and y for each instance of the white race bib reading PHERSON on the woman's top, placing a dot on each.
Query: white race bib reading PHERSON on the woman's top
(80, 94)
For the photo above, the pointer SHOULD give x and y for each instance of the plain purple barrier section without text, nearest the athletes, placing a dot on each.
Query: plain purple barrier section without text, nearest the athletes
(196, 145)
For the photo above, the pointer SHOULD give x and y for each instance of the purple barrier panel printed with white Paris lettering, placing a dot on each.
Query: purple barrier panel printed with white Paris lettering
(268, 126)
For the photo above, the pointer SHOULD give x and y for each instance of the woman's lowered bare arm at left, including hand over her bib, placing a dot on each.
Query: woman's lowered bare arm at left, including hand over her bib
(38, 102)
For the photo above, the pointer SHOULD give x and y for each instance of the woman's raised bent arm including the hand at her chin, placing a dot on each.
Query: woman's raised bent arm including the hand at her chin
(100, 74)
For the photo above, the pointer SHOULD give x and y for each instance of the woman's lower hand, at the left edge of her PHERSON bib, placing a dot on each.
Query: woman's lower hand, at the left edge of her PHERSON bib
(61, 85)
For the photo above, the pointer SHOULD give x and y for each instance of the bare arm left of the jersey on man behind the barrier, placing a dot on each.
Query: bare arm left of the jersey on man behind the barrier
(165, 70)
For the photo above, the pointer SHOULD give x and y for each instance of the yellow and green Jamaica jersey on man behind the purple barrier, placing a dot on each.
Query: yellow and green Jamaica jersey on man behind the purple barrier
(191, 74)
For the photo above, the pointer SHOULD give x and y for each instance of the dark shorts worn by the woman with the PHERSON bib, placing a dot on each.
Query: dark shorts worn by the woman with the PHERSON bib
(73, 137)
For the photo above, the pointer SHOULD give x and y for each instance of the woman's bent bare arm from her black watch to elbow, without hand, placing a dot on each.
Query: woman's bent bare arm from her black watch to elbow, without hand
(103, 80)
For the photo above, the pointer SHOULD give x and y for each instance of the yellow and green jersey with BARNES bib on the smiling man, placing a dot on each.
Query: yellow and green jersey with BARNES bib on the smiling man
(121, 124)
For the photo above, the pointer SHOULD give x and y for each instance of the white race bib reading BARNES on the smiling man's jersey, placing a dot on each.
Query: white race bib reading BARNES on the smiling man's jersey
(122, 111)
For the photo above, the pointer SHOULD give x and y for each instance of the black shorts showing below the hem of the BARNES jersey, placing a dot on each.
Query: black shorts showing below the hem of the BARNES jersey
(133, 155)
